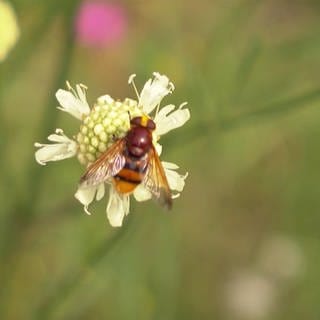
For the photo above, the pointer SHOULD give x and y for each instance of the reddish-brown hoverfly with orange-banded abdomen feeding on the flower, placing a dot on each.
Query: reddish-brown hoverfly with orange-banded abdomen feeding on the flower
(130, 161)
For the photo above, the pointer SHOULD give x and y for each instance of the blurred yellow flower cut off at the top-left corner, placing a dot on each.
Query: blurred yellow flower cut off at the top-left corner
(9, 30)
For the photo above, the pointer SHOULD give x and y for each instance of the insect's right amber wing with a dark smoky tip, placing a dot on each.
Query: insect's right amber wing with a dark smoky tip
(156, 181)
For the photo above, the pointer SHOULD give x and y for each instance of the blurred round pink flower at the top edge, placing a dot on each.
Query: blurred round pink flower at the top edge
(100, 23)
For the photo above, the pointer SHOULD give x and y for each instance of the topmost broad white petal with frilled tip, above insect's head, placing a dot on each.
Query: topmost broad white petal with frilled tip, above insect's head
(154, 91)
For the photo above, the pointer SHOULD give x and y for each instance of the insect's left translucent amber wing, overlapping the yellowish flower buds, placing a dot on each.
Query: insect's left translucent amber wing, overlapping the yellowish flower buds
(106, 166)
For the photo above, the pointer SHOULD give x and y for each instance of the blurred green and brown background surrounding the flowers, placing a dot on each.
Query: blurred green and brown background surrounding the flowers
(243, 240)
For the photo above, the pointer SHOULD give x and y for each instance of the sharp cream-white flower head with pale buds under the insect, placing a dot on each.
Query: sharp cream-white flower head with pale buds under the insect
(109, 120)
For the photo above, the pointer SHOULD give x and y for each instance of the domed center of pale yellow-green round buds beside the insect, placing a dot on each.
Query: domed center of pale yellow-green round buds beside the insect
(108, 121)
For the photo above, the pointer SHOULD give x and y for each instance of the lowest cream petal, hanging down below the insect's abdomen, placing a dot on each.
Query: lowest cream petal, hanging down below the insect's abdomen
(117, 208)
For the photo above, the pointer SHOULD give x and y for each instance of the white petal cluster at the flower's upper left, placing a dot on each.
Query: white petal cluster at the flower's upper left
(73, 102)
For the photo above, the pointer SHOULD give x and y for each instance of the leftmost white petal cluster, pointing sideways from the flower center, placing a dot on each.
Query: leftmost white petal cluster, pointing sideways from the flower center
(63, 149)
